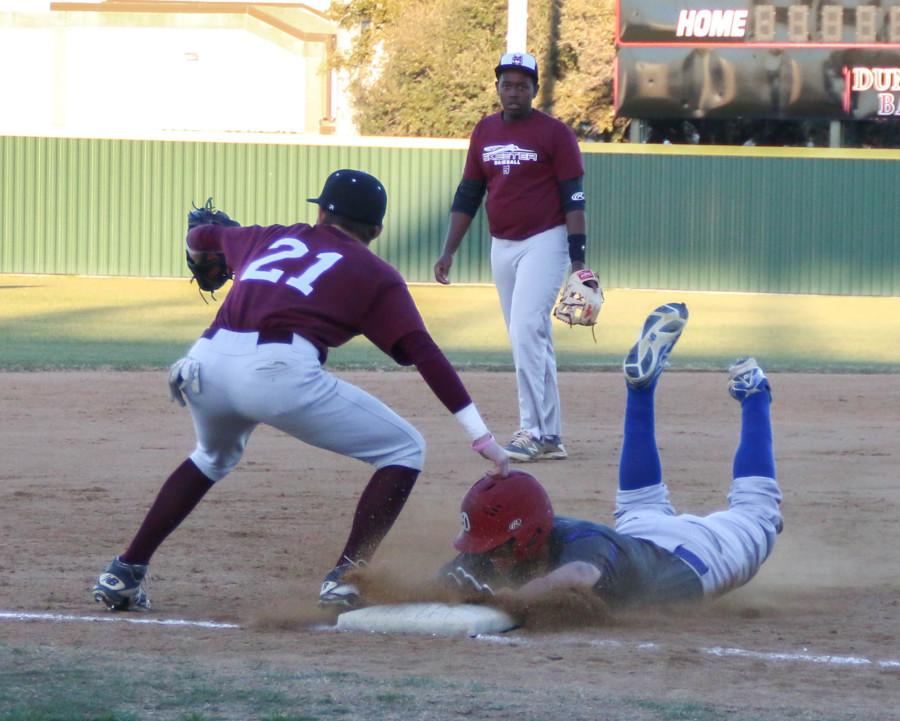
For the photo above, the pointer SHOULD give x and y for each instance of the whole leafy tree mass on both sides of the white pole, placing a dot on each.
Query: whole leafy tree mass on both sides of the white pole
(425, 67)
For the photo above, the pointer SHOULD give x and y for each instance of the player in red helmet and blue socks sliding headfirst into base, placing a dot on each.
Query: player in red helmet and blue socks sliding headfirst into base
(652, 556)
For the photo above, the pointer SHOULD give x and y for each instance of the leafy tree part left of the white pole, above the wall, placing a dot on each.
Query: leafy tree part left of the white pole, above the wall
(422, 67)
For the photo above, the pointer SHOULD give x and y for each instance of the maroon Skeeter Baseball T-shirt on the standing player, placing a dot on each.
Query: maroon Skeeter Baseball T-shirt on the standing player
(523, 163)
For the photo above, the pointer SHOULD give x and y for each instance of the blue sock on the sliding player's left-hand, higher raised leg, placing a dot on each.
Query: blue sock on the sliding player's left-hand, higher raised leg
(639, 464)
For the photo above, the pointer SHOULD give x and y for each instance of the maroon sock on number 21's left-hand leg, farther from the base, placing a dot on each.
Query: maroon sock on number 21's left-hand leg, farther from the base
(179, 495)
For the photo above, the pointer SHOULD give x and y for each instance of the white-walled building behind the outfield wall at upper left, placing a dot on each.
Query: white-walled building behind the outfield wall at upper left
(169, 66)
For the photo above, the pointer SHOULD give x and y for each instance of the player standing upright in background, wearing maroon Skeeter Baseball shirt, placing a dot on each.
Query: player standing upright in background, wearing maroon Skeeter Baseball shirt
(531, 168)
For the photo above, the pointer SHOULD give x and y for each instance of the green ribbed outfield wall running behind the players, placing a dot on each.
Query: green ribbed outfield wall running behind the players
(816, 221)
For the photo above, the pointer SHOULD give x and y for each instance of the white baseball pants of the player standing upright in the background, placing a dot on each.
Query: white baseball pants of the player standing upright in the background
(529, 274)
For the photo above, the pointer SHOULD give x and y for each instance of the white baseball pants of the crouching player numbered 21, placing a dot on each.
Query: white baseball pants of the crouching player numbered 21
(284, 386)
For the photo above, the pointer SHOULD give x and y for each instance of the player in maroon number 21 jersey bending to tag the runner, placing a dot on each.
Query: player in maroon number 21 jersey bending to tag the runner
(261, 361)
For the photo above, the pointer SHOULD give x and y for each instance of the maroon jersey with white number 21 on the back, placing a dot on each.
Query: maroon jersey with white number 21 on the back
(311, 280)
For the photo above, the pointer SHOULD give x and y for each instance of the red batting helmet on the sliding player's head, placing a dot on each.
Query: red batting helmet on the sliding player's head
(496, 510)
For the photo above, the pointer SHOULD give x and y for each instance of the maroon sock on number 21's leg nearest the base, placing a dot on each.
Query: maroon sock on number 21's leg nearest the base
(379, 505)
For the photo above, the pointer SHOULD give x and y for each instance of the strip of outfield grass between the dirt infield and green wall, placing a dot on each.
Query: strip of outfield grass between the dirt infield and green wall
(63, 322)
